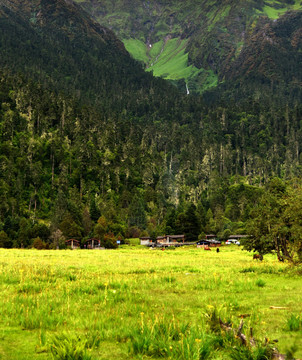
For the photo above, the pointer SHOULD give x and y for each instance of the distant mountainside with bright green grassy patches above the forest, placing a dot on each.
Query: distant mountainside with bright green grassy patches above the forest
(201, 42)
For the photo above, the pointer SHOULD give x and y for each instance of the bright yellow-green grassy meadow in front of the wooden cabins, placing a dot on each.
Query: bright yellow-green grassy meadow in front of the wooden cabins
(136, 303)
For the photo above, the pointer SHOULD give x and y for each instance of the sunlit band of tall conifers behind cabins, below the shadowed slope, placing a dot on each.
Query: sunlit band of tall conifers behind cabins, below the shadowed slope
(64, 167)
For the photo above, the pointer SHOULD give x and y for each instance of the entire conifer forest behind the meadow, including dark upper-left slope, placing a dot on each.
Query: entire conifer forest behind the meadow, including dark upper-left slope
(92, 145)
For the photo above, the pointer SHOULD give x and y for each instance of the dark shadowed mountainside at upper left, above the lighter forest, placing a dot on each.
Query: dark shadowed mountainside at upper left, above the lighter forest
(54, 42)
